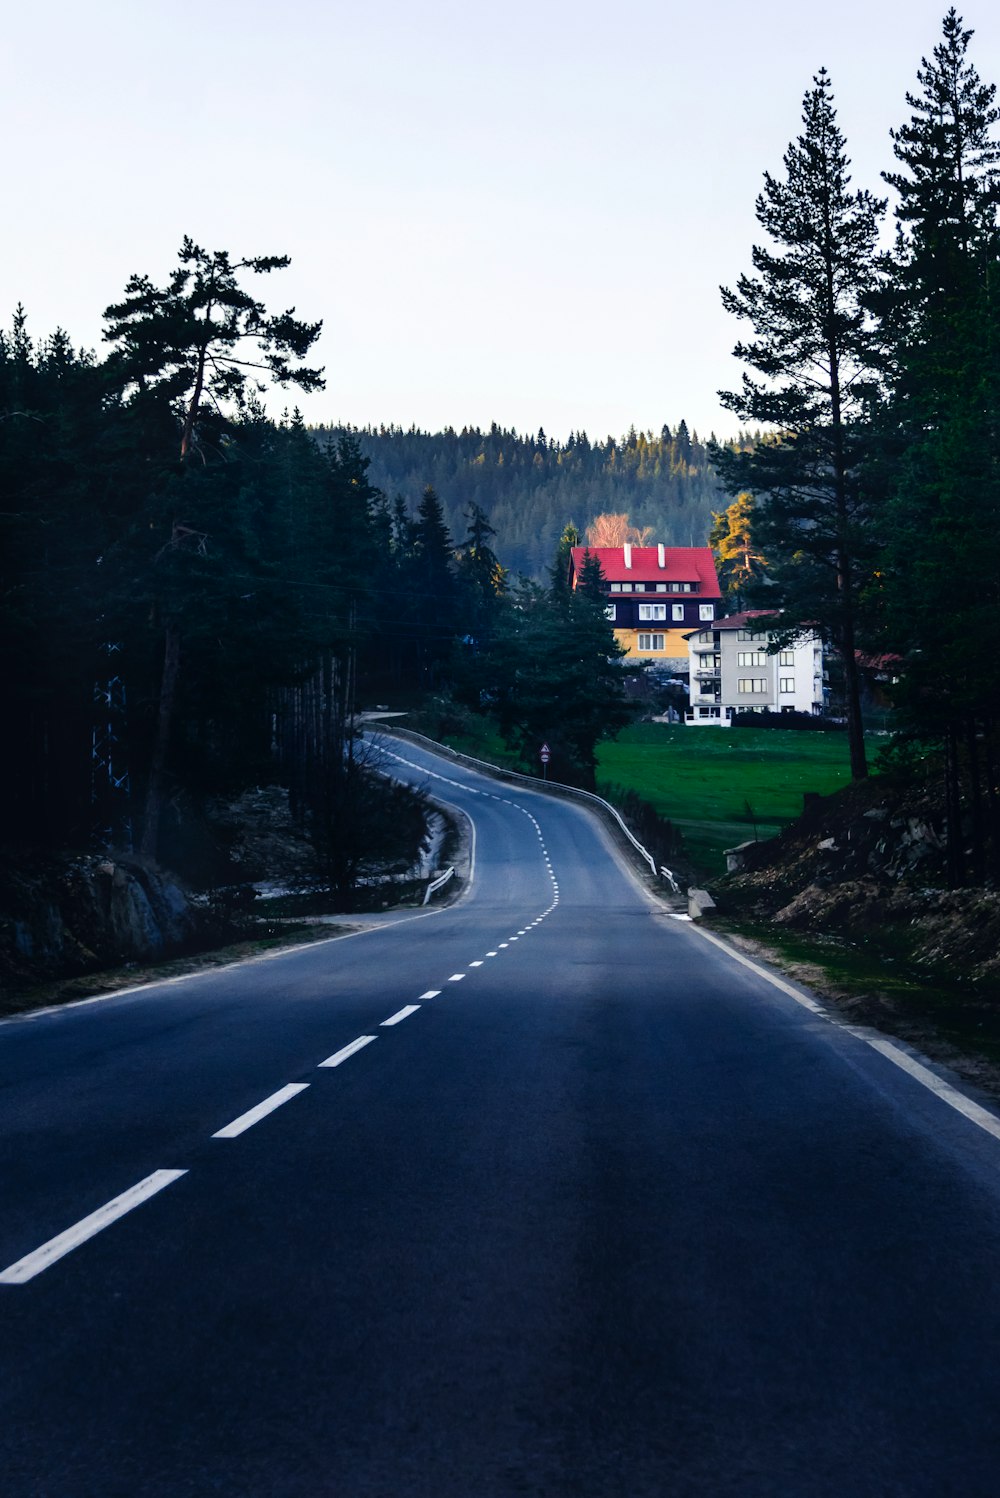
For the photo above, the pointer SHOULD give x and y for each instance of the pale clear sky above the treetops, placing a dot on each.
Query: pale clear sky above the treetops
(514, 213)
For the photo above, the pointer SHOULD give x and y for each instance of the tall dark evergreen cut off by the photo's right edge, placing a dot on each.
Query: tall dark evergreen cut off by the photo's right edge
(942, 431)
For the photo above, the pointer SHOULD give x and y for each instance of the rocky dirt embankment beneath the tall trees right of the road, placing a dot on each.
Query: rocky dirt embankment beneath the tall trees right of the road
(869, 865)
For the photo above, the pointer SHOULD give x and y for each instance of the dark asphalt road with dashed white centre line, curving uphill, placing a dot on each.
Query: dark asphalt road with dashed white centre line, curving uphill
(598, 1211)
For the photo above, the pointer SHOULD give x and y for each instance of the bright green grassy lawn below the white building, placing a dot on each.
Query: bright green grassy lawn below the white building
(715, 783)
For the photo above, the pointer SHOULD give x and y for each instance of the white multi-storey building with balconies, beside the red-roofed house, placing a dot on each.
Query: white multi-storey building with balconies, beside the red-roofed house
(733, 672)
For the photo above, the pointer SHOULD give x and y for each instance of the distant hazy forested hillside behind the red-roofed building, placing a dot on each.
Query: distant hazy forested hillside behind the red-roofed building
(532, 486)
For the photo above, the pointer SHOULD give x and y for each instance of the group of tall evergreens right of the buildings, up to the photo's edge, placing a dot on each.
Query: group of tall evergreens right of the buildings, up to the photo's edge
(869, 510)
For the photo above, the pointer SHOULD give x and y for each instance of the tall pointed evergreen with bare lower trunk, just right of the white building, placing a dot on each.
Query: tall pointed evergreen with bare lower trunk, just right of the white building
(817, 353)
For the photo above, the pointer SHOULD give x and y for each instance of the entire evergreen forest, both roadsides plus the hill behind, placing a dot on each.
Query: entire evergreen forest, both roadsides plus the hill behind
(197, 598)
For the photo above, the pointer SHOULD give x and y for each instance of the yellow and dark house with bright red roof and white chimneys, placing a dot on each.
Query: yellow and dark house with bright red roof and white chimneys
(656, 597)
